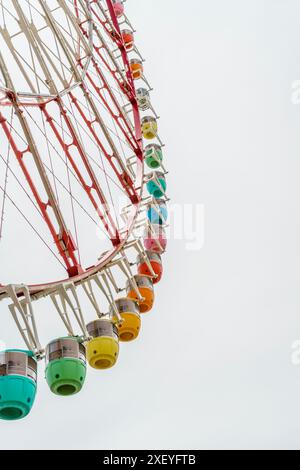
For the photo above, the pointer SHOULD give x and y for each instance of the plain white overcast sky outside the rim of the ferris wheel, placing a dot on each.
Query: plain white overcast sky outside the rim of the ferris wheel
(212, 368)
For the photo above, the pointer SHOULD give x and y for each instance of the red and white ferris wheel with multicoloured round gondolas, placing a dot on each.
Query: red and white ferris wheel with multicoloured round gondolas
(82, 191)
